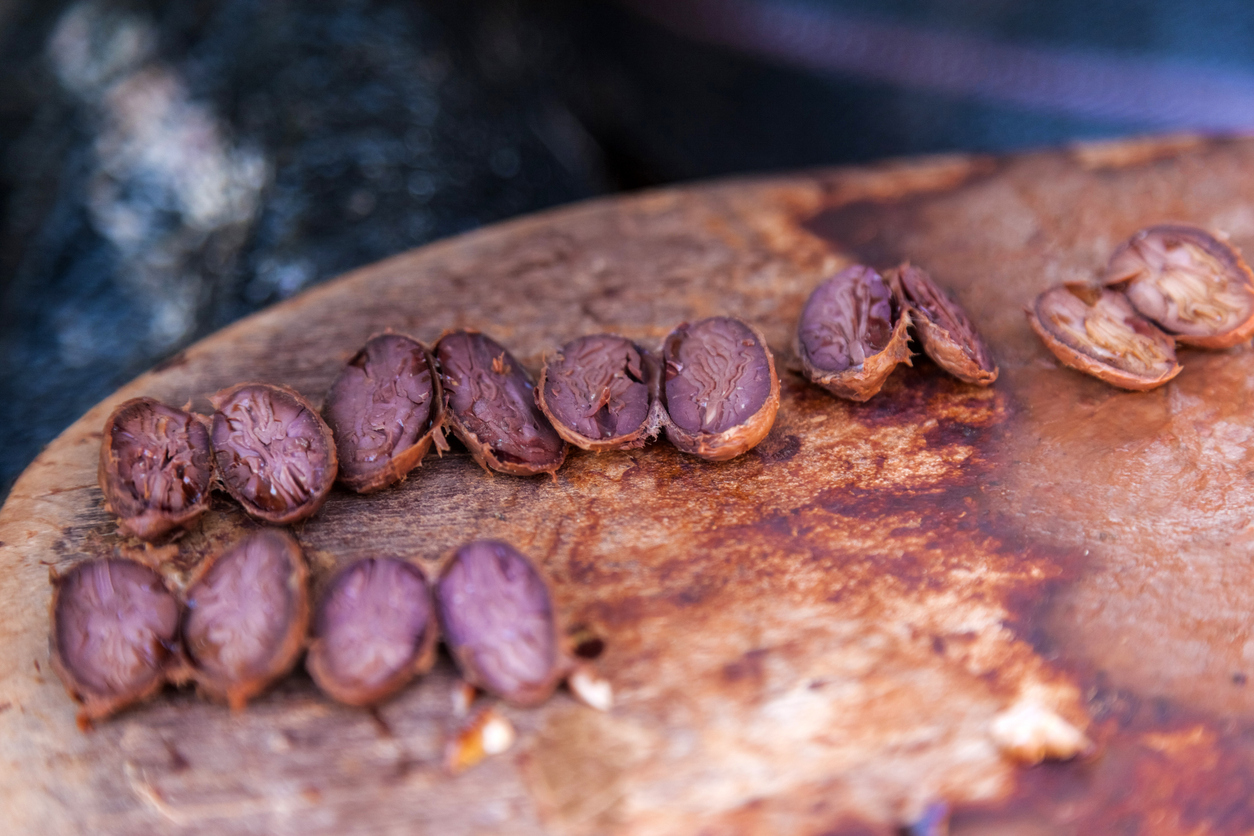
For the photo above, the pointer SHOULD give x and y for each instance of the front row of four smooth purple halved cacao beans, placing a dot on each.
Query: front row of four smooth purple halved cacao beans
(121, 634)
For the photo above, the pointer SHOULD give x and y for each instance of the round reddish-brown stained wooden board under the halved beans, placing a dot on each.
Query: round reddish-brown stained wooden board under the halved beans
(814, 639)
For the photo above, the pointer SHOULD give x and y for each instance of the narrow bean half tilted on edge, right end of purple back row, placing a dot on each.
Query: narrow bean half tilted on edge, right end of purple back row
(945, 330)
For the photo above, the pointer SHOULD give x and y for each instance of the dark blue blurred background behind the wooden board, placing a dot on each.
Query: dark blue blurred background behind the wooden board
(170, 167)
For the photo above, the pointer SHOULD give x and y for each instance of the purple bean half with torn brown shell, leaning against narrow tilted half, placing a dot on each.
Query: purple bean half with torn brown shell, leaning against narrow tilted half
(853, 333)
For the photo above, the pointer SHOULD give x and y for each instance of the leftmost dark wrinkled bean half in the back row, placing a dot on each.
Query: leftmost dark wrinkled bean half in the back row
(156, 468)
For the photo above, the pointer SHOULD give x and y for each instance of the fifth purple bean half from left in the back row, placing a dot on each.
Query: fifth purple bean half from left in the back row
(601, 393)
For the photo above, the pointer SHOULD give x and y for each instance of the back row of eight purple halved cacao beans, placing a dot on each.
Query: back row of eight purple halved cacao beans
(713, 388)
